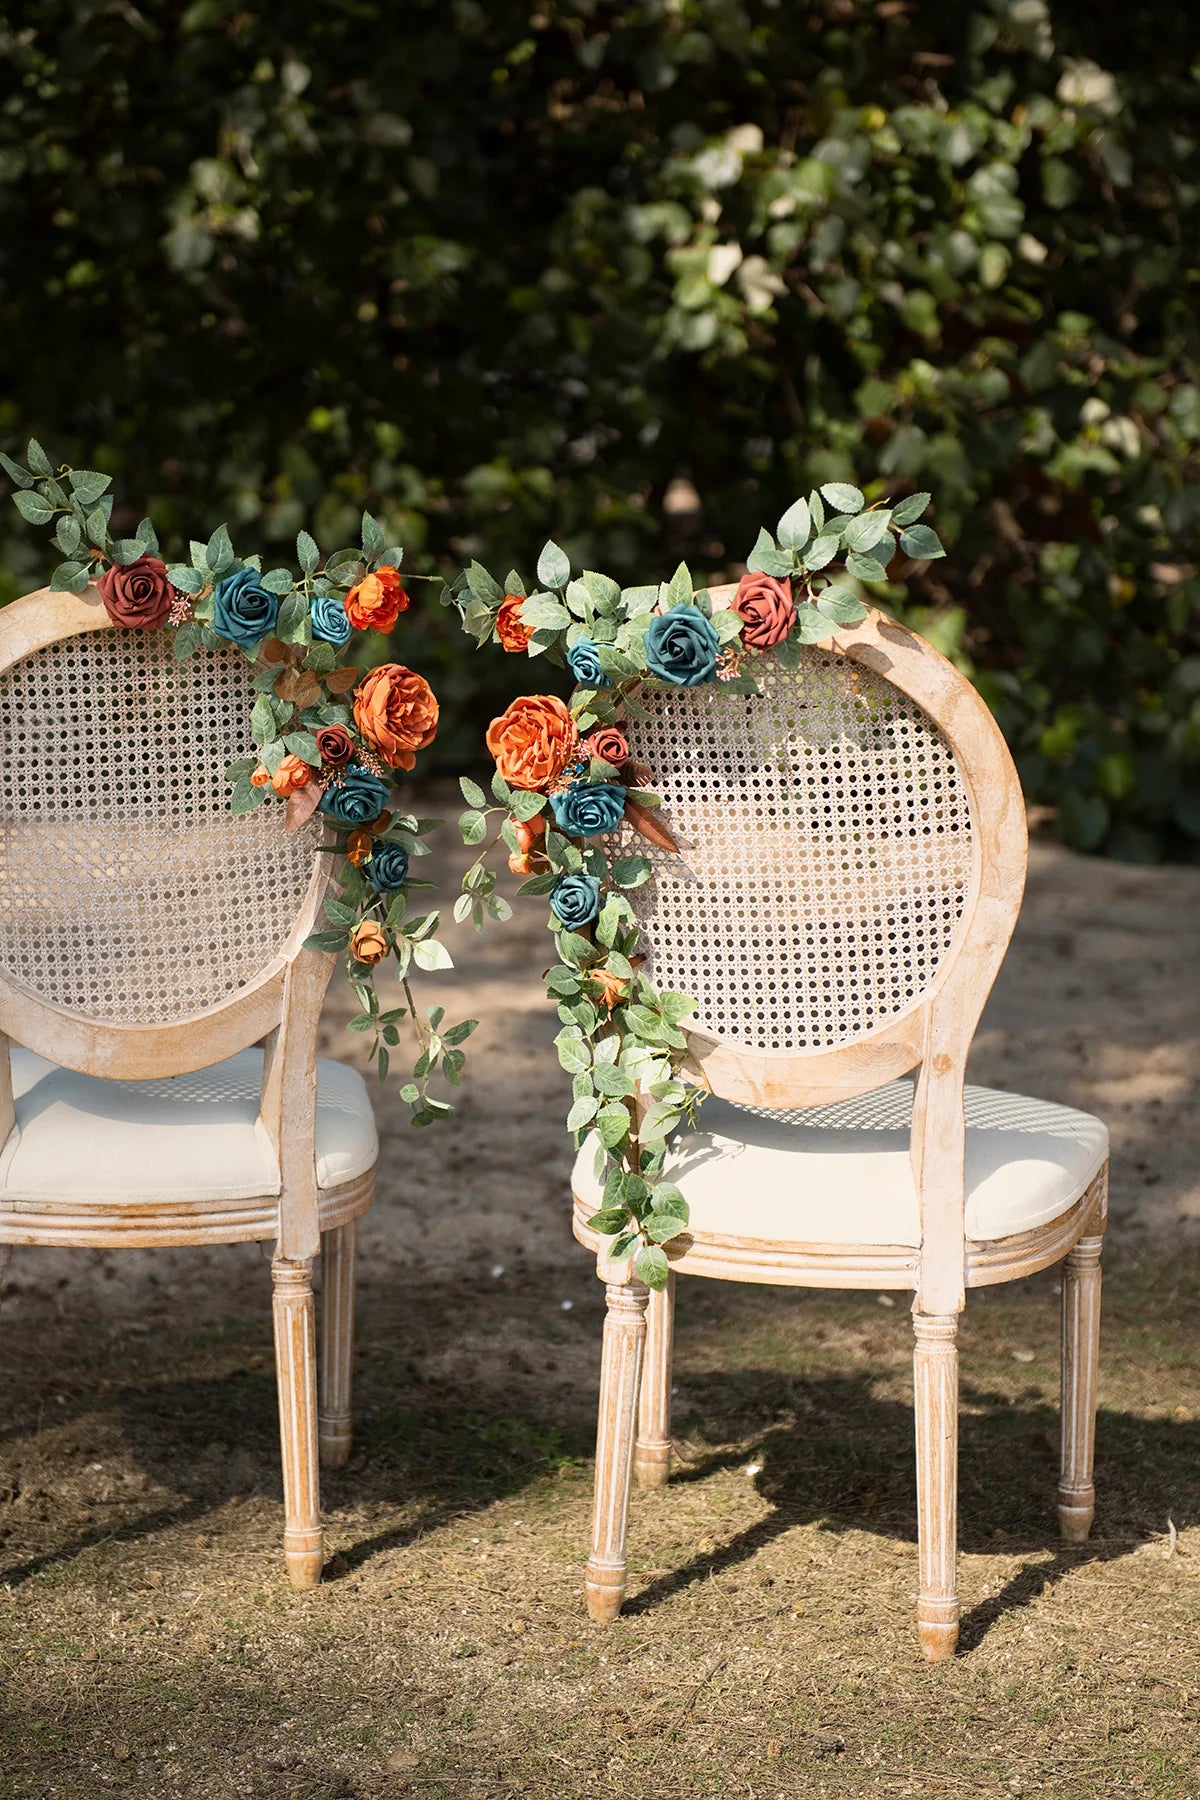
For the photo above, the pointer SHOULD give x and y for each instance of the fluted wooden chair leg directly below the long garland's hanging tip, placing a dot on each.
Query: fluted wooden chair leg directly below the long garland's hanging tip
(622, 1367)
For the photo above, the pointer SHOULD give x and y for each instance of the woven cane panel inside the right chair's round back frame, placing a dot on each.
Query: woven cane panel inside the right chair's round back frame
(827, 854)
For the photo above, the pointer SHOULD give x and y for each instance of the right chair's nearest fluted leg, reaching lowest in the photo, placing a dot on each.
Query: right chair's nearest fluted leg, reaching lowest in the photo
(936, 1387)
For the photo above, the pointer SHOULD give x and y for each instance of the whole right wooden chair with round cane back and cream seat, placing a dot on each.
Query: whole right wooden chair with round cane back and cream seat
(854, 856)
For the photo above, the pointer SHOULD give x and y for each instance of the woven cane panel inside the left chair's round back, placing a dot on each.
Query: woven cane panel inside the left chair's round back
(129, 892)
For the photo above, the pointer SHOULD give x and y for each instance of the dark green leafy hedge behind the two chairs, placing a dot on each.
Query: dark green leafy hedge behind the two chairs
(497, 271)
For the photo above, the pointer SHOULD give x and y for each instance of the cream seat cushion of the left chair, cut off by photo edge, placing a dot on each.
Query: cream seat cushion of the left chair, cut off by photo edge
(192, 1137)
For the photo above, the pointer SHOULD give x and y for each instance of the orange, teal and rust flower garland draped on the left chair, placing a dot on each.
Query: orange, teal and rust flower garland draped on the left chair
(328, 739)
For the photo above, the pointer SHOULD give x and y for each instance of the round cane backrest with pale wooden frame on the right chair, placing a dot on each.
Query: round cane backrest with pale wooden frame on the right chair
(854, 847)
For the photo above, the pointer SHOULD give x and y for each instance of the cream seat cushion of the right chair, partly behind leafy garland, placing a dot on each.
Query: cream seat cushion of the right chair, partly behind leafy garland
(841, 1174)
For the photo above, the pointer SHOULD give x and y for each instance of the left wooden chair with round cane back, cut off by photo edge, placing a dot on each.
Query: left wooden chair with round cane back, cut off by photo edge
(148, 942)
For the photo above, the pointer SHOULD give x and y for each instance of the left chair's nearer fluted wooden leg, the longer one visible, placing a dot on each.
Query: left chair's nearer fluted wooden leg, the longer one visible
(296, 1374)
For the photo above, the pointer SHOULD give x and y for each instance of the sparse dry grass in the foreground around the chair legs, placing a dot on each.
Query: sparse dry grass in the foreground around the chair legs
(150, 1644)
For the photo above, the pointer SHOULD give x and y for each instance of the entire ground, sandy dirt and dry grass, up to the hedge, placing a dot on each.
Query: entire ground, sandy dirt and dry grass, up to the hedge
(150, 1642)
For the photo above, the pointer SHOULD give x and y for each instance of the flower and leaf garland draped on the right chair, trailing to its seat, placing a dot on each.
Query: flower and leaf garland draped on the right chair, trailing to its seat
(566, 780)
